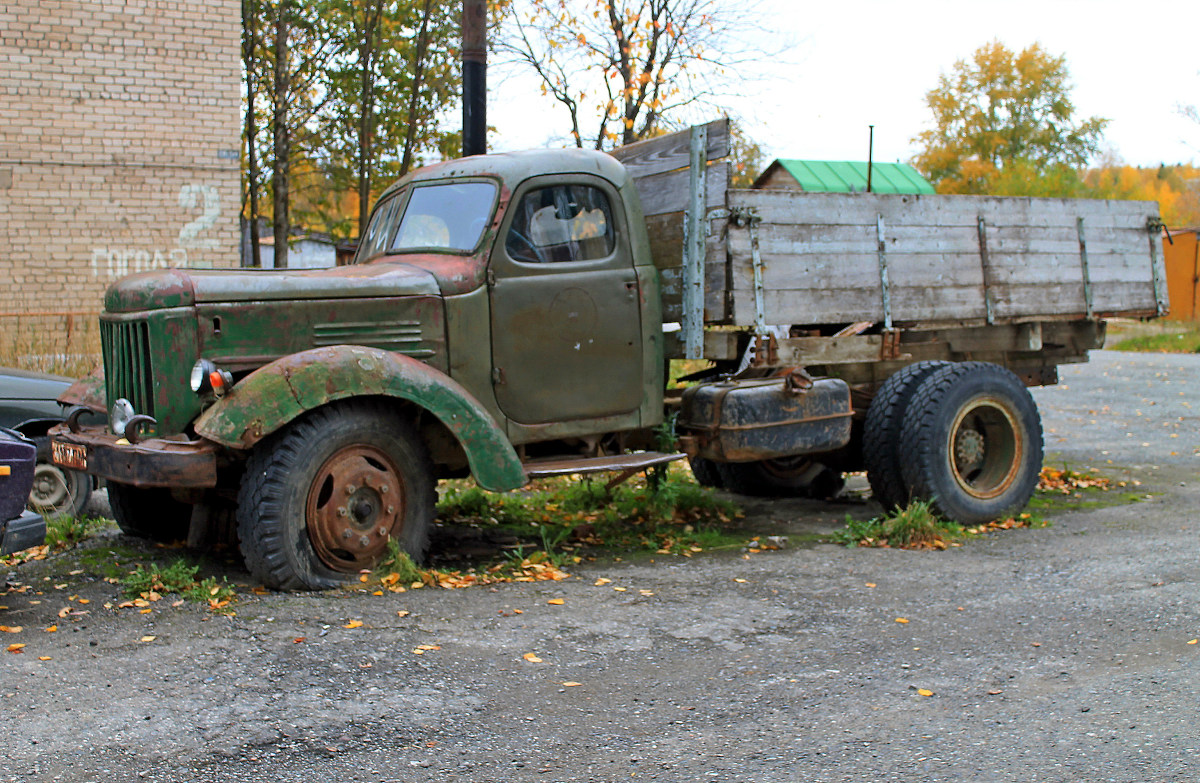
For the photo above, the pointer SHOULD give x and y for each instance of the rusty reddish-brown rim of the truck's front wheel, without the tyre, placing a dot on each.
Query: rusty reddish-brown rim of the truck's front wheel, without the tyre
(356, 506)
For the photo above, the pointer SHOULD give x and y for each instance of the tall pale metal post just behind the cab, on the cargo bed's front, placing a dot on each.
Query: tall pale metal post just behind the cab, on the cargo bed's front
(694, 246)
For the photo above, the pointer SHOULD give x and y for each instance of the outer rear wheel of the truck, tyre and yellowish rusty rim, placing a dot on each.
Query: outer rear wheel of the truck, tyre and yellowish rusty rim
(973, 443)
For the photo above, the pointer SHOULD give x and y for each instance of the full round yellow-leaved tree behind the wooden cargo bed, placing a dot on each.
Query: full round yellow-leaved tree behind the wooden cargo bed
(1005, 124)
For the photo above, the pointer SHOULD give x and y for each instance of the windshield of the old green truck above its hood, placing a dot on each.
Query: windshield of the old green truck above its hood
(447, 217)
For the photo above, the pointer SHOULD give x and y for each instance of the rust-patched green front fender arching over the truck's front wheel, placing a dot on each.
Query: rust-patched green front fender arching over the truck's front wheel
(281, 391)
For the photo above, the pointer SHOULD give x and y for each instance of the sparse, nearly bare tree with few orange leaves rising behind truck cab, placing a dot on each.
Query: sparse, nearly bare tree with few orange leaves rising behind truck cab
(626, 70)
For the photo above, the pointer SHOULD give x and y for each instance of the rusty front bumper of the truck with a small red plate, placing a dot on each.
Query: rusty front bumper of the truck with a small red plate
(178, 464)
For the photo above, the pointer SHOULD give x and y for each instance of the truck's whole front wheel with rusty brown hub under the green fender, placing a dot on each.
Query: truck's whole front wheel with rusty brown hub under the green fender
(322, 499)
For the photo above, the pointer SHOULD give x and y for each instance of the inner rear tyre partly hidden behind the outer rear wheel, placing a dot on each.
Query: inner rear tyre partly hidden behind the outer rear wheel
(881, 433)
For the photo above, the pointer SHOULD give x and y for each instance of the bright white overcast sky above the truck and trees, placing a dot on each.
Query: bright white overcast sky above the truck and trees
(851, 64)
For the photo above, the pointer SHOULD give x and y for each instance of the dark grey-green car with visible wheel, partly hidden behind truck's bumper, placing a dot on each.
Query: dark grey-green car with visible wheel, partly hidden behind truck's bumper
(28, 405)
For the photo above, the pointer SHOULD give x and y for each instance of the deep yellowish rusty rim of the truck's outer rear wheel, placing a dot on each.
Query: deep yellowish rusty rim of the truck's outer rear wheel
(986, 449)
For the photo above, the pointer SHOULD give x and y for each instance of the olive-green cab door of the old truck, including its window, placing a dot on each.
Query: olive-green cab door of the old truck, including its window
(567, 332)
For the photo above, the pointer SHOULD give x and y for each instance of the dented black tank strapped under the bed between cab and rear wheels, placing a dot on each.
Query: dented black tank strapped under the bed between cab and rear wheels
(769, 419)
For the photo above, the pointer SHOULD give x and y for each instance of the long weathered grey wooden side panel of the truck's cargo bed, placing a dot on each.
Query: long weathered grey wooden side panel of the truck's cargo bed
(821, 261)
